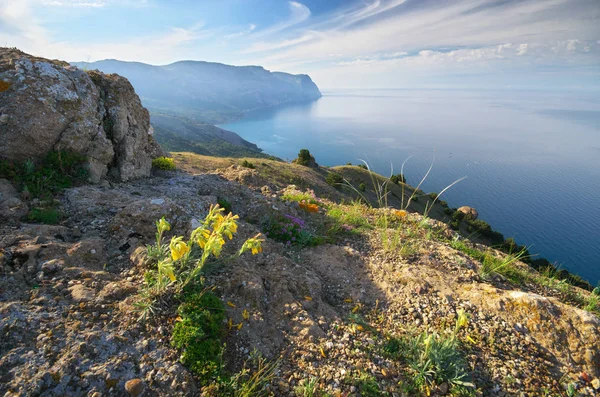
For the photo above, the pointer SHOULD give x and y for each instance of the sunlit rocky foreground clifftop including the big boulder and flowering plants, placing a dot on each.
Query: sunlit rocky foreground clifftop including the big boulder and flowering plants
(256, 277)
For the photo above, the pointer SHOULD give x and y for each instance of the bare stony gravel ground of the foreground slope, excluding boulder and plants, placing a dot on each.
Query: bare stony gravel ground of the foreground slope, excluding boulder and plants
(326, 313)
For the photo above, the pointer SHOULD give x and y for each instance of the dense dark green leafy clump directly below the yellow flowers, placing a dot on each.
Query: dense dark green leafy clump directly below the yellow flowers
(198, 334)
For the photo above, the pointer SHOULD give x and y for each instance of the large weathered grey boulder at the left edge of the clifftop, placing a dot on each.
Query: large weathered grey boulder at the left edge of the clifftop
(49, 105)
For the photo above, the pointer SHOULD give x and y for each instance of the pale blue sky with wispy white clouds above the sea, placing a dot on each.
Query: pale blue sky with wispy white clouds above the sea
(473, 44)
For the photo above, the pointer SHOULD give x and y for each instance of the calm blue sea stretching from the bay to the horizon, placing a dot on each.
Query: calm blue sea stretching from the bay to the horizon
(532, 159)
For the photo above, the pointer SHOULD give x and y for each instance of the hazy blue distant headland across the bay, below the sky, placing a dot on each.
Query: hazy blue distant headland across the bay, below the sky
(210, 92)
